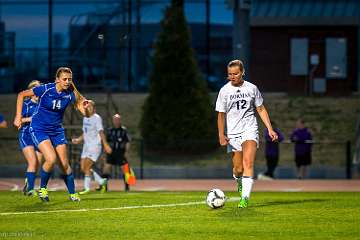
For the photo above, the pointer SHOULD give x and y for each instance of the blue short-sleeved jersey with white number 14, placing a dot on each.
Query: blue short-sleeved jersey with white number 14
(52, 105)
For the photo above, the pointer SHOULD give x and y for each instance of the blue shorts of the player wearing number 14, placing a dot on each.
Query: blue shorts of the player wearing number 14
(56, 137)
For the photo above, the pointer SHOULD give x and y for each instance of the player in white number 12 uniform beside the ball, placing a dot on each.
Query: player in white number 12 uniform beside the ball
(237, 102)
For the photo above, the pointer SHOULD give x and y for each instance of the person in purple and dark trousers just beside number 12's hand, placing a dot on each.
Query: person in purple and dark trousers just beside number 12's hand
(271, 153)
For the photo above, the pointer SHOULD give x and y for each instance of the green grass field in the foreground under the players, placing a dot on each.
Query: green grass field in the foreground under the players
(130, 216)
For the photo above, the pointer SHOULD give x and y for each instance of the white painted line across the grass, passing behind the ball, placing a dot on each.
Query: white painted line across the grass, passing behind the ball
(117, 208)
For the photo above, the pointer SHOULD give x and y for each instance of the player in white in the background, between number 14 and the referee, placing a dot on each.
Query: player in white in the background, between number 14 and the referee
(93, 135)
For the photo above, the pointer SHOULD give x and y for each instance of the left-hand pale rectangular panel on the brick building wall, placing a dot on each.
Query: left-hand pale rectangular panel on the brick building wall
(299, 56)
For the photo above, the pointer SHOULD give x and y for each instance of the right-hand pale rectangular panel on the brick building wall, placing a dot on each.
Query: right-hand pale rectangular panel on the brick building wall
(336, 62)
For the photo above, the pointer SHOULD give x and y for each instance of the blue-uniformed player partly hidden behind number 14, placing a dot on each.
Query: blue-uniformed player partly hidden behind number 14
(32, 155)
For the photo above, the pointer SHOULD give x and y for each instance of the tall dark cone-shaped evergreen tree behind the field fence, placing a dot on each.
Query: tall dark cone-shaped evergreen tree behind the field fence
(178, 113)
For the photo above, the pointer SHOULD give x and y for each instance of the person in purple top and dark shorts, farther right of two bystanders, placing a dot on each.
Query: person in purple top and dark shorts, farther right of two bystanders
(302, 137)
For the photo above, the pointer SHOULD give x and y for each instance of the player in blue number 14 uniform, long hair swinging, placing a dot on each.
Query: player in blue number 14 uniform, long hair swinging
(46, 126)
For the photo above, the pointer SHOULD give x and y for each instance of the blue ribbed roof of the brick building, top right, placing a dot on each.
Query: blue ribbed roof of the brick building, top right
(305, 12)
